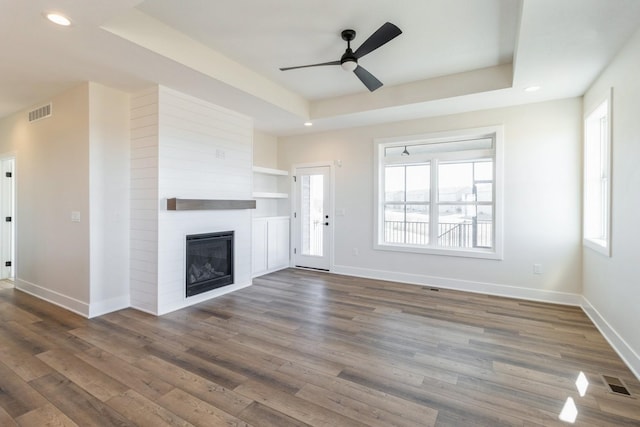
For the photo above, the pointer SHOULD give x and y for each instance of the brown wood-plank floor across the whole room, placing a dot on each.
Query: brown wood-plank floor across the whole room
(306, 348)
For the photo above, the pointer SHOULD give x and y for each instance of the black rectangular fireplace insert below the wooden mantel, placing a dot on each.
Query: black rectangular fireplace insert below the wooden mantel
(209, 262)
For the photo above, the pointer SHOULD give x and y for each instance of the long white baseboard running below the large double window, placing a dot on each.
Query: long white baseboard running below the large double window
(564, 298)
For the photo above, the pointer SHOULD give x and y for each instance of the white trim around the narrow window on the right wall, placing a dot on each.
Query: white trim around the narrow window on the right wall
(602, 246)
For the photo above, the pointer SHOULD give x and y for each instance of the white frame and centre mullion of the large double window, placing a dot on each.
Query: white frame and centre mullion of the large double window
(495, 132)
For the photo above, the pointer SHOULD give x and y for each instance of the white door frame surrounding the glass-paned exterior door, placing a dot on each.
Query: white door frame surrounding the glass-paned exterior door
(294, 203)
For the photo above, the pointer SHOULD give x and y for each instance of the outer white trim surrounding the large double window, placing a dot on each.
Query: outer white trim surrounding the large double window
(496, 253)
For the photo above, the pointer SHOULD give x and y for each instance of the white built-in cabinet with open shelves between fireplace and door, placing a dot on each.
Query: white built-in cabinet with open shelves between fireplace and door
(270, 233)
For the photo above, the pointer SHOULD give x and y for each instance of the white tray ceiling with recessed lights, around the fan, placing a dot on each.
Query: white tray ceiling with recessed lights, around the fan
(453, 55)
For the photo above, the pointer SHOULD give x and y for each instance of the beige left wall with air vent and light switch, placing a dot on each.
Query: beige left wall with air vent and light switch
(52, 180)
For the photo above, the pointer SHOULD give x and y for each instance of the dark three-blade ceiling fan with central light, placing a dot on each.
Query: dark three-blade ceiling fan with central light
(349, 60)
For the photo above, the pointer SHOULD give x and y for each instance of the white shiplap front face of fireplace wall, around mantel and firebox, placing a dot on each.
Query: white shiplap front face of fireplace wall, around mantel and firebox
(205, 152)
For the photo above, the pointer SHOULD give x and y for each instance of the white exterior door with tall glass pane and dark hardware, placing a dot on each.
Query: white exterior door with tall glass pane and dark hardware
(313, 223)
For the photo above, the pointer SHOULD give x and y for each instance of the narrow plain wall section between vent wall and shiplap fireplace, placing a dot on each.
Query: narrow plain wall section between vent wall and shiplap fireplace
(109, 166)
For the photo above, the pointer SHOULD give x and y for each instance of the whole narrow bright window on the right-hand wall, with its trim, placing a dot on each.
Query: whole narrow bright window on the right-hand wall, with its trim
(597, 177)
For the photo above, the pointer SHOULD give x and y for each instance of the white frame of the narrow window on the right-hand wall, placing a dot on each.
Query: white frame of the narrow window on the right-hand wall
(601, 244)
